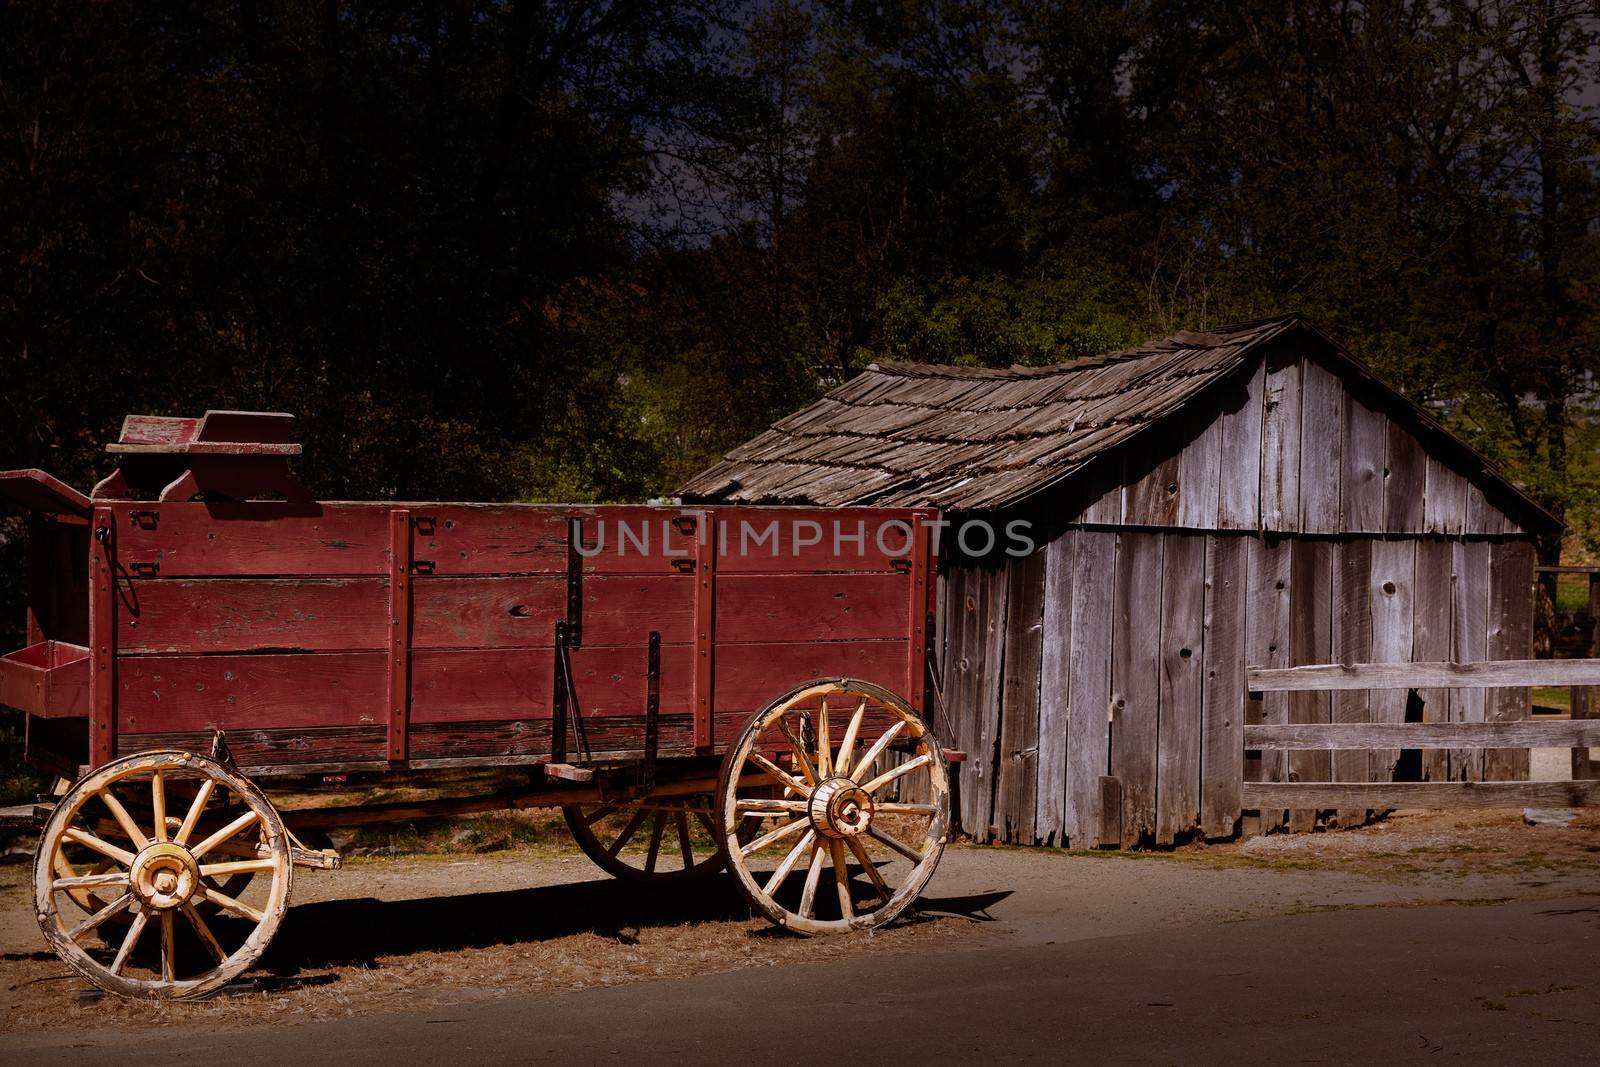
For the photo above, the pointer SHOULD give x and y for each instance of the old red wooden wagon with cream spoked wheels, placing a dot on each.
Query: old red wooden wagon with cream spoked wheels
(697, 689)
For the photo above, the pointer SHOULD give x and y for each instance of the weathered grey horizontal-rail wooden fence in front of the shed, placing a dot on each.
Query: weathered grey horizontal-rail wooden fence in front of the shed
(1578, 735)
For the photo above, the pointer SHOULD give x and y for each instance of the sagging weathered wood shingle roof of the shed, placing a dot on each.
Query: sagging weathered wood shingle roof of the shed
(980, 439)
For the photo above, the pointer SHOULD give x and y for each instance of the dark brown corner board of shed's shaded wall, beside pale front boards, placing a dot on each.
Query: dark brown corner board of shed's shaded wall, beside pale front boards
(1017, 777)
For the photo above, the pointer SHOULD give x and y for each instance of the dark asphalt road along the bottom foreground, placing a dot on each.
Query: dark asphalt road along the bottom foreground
(1497, 985)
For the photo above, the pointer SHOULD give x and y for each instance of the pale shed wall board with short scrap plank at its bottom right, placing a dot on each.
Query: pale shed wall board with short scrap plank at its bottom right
(1089, 693)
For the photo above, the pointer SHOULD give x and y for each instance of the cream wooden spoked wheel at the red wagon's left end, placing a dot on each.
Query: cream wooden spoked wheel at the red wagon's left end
(159, 874)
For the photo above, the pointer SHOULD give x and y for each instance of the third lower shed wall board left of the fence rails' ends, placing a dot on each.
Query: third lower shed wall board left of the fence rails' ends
(1137, 679)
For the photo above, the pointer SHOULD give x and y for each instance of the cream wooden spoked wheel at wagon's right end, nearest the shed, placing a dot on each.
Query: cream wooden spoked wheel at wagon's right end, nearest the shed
(878, 828)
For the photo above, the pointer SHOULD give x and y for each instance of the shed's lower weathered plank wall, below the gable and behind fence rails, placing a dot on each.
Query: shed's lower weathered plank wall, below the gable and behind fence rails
(1124, 653)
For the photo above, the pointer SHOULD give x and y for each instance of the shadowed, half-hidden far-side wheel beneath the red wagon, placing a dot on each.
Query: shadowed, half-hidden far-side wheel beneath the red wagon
(665, 826)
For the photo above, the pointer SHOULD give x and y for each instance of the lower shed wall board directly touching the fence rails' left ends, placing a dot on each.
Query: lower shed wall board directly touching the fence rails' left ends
(1223, 714)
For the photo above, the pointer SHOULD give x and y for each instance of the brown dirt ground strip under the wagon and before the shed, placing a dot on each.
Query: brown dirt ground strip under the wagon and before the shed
(530, 916)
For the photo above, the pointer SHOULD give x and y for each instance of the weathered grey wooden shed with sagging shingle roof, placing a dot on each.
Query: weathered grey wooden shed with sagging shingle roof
(1244, 497)
